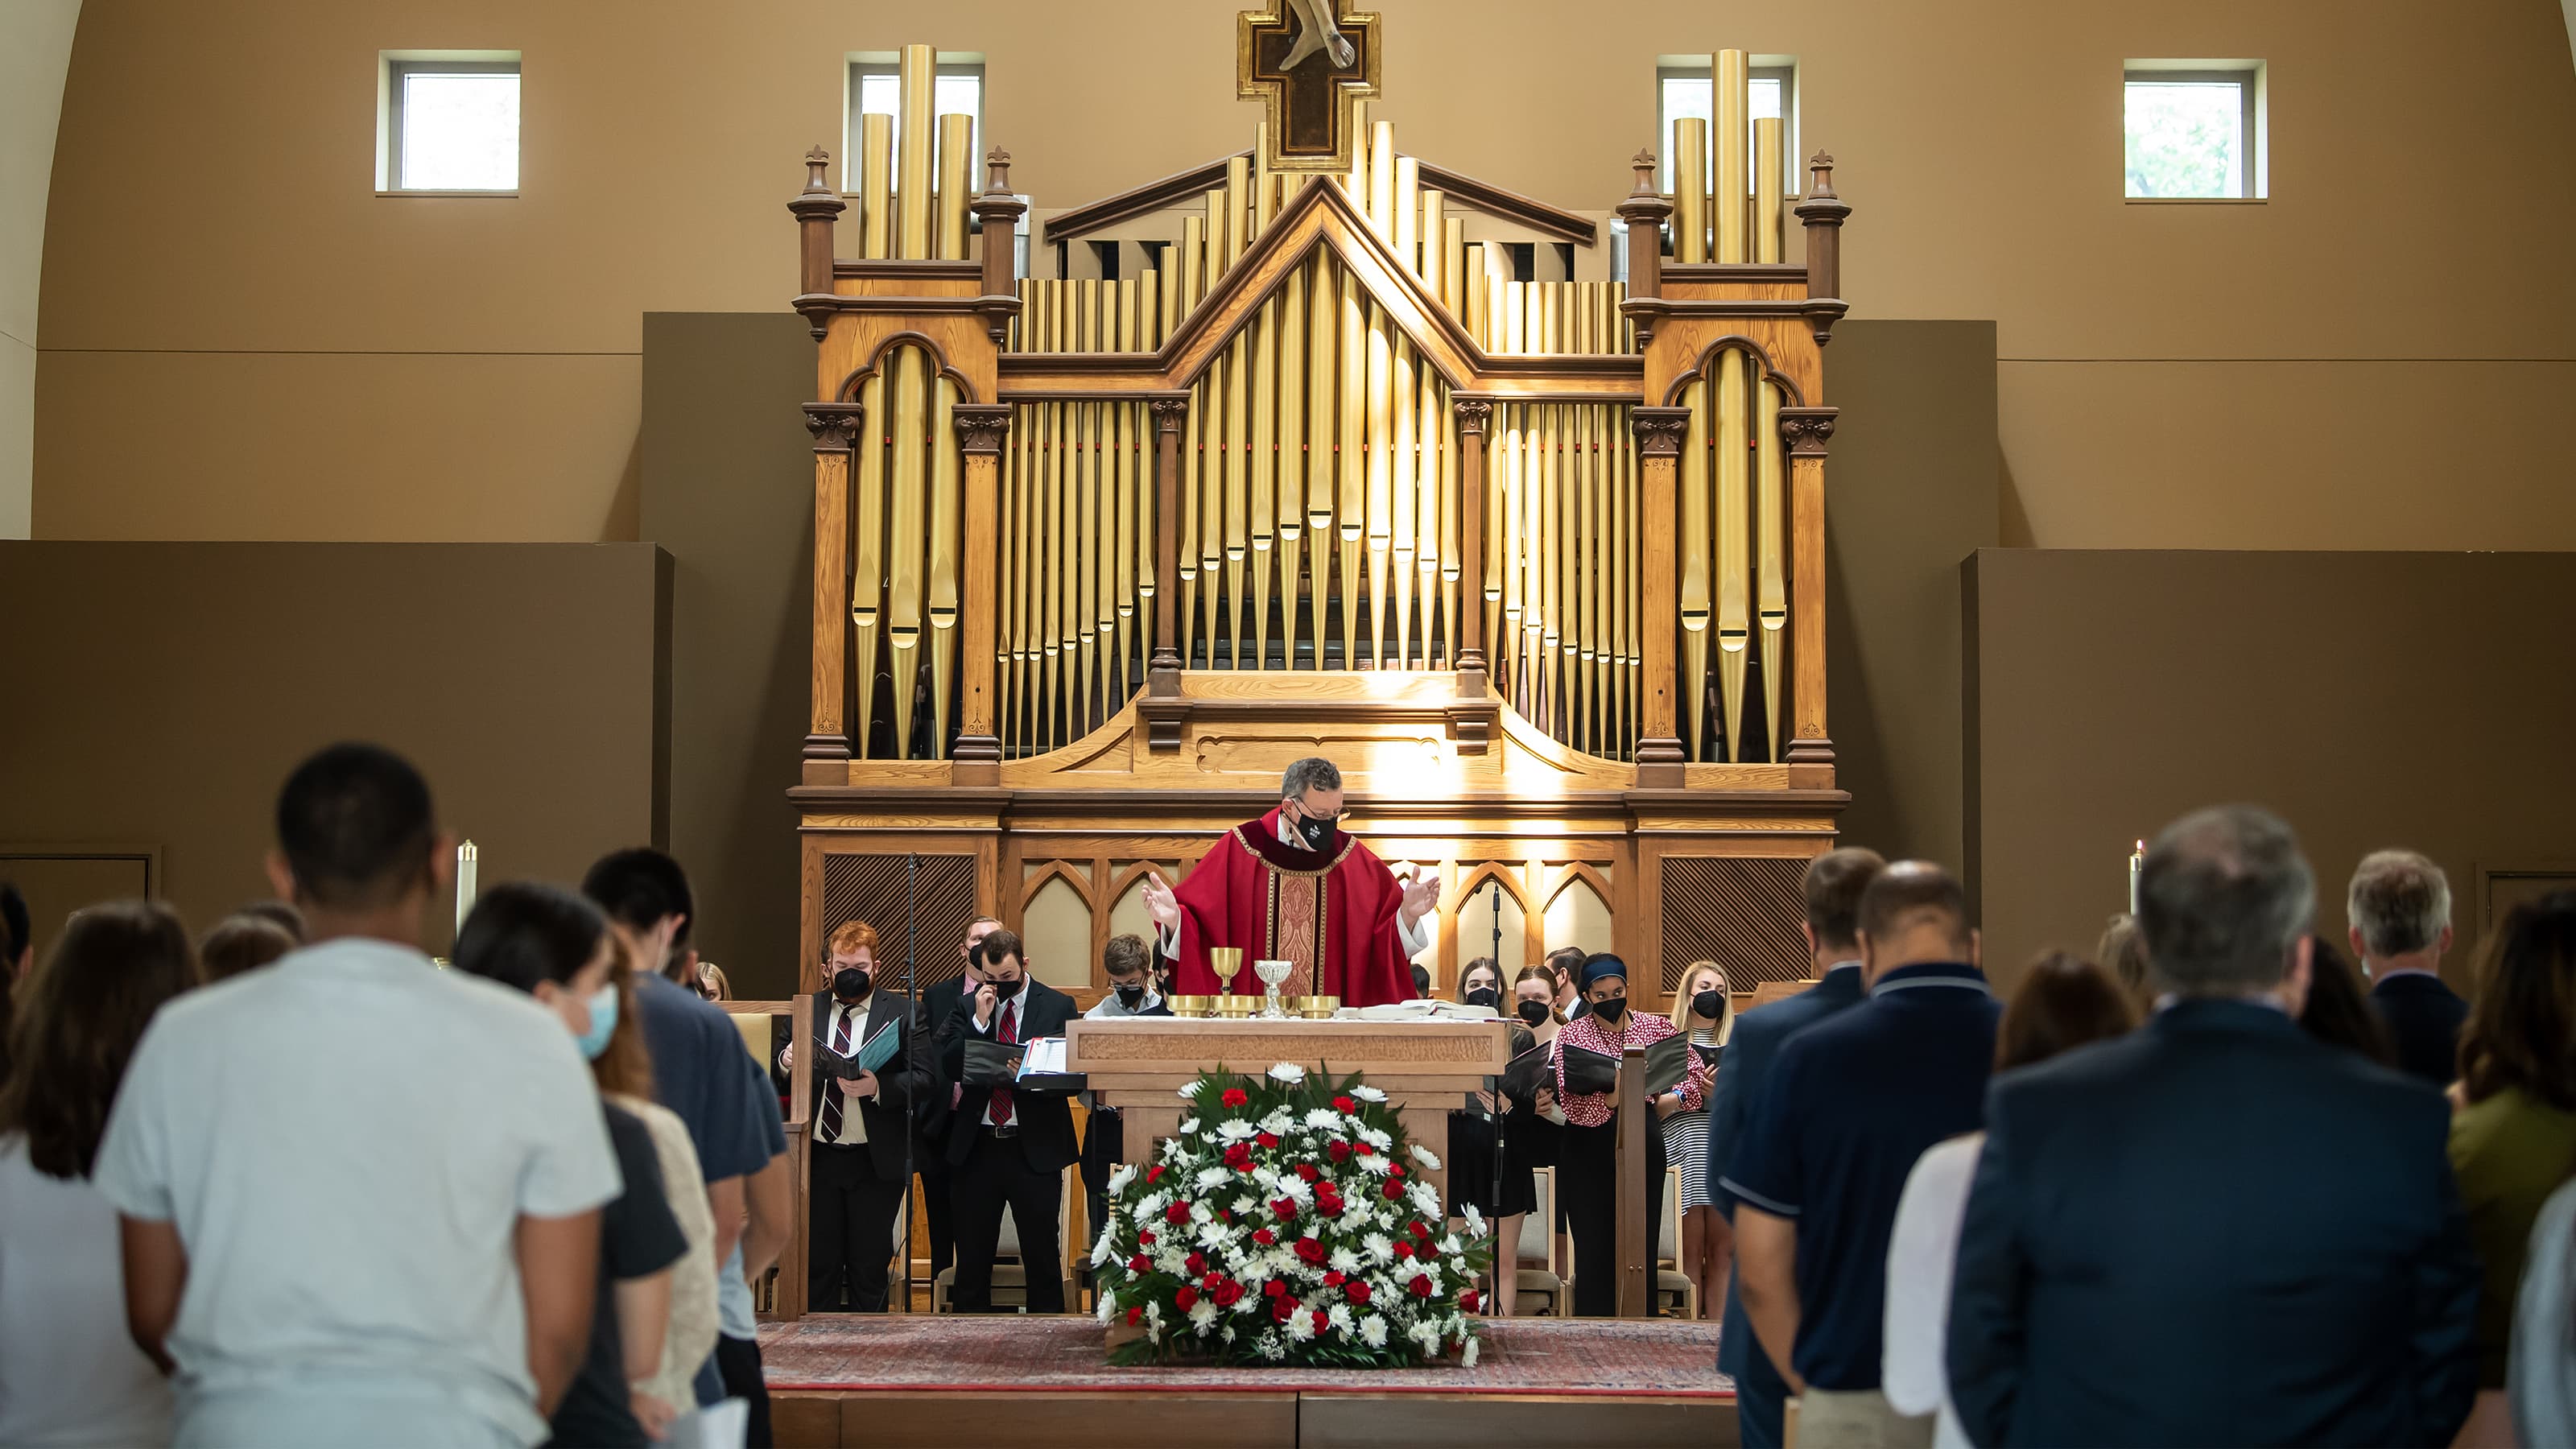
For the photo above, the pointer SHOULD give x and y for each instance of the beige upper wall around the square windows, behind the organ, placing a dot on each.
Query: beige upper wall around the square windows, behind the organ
(246, 342)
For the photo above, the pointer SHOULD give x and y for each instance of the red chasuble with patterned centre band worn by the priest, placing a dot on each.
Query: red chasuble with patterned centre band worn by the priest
(1331, 914)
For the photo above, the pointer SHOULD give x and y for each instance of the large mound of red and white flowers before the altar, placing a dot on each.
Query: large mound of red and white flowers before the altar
(1289, 1223)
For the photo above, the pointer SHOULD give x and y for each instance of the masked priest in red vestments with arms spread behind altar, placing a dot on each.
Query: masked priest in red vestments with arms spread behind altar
(1297, 888)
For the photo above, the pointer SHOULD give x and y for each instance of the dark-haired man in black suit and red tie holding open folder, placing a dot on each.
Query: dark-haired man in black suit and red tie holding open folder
(1009, 1149)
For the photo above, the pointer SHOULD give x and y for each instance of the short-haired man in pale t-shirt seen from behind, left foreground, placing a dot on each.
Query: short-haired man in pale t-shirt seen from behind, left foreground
(359, 1195)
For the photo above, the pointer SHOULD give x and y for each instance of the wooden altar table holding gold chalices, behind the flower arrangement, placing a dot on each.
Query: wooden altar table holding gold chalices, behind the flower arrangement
(1426, 1069)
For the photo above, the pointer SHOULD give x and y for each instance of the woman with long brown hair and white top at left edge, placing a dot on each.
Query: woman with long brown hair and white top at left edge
(68, 1368)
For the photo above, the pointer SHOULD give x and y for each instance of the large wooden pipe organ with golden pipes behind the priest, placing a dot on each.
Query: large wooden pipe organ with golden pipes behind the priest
(1537, 563)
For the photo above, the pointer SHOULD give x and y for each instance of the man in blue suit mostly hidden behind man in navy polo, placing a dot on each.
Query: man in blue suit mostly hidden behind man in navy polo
(1833, 940)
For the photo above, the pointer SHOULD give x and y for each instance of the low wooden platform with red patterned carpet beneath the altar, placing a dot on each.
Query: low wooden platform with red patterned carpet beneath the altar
(923, 1381)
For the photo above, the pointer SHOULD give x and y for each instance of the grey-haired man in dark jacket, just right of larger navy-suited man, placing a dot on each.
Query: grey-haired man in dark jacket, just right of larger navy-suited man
(2400, 906)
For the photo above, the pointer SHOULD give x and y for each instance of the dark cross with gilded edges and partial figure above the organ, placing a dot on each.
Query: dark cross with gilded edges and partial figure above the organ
(1310, 63)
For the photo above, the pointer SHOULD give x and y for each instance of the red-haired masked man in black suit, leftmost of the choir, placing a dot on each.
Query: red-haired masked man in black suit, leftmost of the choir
(859, 1125)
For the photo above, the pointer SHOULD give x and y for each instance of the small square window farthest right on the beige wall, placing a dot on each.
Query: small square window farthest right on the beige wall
(2193, 130)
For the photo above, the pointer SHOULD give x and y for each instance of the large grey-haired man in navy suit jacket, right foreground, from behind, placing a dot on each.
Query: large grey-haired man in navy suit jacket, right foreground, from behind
(2217, 1231)
